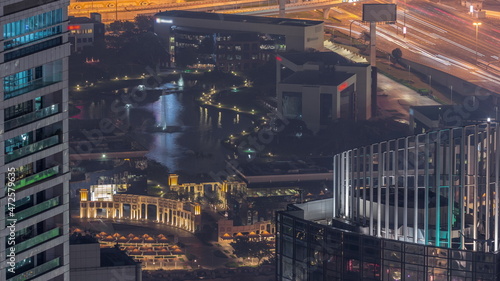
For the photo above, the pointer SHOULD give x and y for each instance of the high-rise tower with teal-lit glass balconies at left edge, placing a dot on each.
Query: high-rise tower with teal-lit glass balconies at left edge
(34, 140)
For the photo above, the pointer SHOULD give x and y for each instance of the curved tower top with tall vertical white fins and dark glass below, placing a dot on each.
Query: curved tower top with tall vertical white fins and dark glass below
(421, 208)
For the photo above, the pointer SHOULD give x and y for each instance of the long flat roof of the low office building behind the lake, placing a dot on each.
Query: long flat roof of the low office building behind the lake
(237, 18)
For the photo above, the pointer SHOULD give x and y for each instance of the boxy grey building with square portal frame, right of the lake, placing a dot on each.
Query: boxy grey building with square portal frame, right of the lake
(321, 87)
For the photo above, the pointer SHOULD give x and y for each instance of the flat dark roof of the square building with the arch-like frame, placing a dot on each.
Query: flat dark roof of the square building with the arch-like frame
(316, 77)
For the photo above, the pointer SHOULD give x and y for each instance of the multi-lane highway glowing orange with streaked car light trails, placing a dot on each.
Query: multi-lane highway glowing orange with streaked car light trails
(438, 36)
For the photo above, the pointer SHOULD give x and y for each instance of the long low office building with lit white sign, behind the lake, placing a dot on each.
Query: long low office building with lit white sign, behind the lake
(233, 42)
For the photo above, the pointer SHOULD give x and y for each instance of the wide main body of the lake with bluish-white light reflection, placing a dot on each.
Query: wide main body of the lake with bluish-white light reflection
(197, 147)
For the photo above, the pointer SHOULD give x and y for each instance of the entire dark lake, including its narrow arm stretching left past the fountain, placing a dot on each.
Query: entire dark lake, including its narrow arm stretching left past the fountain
(194, 146)
